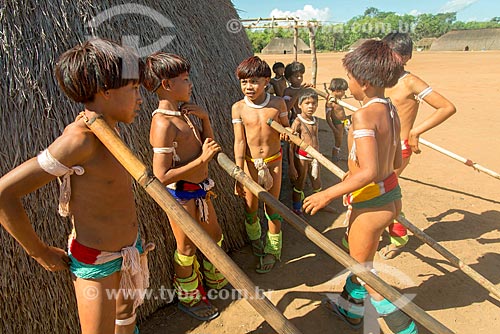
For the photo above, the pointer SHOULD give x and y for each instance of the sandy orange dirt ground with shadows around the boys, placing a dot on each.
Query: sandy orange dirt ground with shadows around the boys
(452, 203)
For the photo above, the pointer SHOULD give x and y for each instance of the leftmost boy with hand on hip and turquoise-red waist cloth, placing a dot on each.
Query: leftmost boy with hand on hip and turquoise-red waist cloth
(105, 243)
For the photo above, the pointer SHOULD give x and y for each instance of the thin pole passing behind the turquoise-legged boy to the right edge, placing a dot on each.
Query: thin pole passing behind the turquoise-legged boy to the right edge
(481, 280)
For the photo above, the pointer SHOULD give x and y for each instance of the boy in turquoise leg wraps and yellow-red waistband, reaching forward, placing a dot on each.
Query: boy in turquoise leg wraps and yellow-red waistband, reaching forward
(371, 185)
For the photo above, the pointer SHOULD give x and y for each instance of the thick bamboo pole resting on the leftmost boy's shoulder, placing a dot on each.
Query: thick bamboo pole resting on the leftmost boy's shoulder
(189, 226)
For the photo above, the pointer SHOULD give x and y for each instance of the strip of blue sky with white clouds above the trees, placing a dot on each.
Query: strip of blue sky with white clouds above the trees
(343, 10)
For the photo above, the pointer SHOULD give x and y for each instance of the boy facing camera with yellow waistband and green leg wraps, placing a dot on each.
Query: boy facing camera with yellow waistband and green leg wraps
(257, 151)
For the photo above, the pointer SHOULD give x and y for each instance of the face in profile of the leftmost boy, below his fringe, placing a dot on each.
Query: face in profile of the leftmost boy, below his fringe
(126, 102)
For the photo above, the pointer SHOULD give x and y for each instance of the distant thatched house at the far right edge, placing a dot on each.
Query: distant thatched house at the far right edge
(465, 40)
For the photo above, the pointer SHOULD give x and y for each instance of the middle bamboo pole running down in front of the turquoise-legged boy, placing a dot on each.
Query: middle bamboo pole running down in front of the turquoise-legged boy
(331, 249)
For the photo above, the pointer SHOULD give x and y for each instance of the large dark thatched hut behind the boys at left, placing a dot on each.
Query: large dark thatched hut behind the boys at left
(33, 112)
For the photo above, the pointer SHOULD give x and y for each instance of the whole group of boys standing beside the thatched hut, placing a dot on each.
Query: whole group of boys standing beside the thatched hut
(101, 255)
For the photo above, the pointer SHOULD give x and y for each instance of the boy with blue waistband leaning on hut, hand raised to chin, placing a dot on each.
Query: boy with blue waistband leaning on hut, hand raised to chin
(181, 156)
